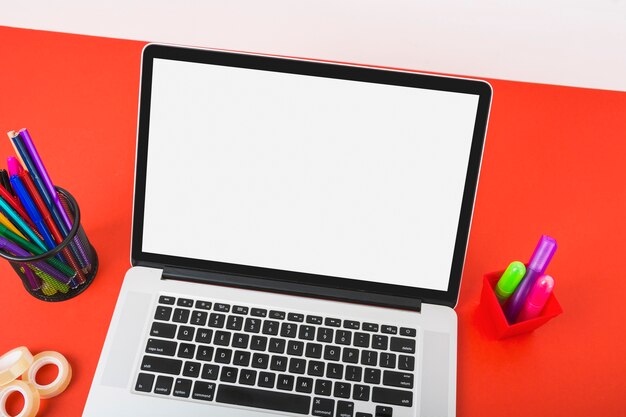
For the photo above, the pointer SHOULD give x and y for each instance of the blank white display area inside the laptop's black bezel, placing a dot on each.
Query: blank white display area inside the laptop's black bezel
(308, 174)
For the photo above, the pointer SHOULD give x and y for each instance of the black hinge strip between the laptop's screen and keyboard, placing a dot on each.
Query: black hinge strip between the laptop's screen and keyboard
(284, 287)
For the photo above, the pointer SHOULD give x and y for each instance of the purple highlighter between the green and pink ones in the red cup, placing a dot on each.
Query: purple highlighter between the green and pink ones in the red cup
(536, 267)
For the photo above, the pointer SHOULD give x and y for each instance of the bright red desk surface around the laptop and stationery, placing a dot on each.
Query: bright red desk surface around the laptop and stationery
(554, 163)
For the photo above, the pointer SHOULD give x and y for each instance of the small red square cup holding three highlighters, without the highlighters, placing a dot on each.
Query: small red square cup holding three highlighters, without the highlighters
(493, 315)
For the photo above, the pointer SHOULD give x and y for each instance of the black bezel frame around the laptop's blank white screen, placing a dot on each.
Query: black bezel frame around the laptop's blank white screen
(317, 69)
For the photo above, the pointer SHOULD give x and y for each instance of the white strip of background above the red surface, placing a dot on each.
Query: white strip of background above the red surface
(567, 42)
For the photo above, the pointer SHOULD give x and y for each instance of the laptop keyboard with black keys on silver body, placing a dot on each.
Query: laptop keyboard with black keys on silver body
(291, 362)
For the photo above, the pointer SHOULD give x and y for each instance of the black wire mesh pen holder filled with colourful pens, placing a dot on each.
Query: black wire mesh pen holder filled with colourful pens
(58, 274)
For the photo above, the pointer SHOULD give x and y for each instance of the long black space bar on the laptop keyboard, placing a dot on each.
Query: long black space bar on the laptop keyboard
(269, 400)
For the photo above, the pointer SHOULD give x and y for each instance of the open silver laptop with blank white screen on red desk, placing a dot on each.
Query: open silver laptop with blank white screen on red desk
(299, 234)
